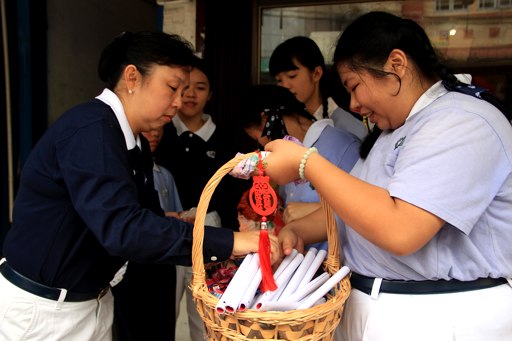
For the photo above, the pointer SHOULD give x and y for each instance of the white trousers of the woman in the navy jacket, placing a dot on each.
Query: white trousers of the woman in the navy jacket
(24, 316)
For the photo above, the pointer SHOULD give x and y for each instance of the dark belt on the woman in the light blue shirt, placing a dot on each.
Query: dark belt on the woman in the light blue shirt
(365, 284)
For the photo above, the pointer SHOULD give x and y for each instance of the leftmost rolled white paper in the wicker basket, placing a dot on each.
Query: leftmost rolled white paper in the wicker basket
(236, 287)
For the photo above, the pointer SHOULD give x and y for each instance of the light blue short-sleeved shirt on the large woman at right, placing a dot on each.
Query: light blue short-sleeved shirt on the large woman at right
(453, 158)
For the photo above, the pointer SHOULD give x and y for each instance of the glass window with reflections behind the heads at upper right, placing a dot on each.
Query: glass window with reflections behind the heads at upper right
(473, 36)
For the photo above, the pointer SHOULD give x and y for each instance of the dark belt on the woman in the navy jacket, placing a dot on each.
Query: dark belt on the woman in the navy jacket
(50, 293)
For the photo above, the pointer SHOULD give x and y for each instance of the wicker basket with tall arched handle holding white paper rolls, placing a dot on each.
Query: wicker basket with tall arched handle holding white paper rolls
(315, 323)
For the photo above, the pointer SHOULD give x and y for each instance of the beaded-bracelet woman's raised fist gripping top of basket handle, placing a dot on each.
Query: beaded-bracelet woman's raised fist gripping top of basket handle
(282, 164)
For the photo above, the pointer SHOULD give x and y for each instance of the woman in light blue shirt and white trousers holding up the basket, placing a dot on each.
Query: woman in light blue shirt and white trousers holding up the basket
(425, 218)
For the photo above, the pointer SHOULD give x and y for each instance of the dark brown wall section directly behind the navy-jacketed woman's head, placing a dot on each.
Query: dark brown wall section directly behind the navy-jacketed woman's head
(77, 33)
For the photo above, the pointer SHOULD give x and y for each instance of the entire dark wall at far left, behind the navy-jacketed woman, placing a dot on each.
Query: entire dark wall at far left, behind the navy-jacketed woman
(53, 47)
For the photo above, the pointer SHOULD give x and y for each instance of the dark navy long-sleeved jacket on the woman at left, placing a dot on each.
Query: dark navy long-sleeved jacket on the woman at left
(77, 216)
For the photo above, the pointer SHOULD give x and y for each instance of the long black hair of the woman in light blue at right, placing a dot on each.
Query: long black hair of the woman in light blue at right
(367, 42)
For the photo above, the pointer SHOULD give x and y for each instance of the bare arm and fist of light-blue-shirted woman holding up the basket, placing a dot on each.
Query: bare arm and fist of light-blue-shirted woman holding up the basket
(390, 223)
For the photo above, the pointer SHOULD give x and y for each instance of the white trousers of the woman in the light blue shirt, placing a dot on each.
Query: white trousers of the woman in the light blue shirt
(476, 315)
